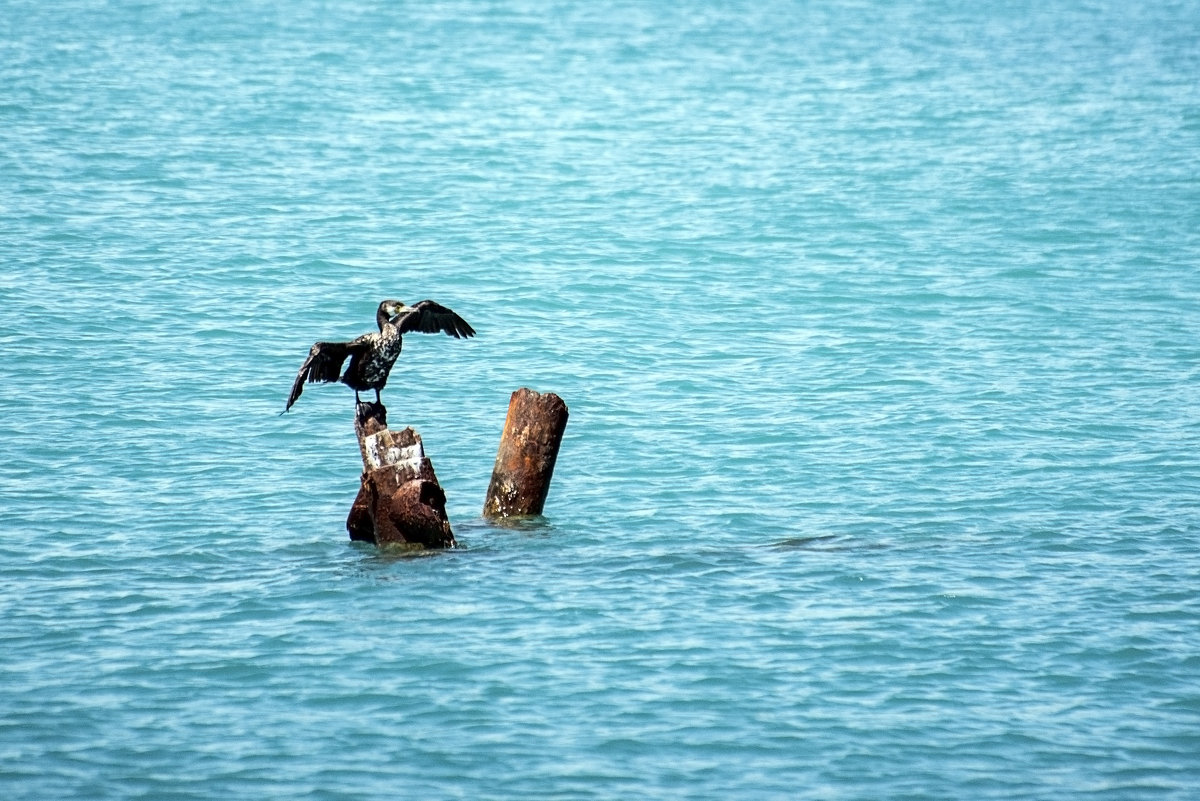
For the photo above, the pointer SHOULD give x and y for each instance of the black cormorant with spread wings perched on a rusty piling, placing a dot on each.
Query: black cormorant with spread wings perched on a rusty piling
(374, 354)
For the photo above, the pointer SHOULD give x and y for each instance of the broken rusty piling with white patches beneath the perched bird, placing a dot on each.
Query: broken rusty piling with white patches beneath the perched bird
(400, 501)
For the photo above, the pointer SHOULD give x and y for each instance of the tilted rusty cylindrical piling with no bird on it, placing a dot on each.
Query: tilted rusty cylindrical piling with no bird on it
(529, 450)
